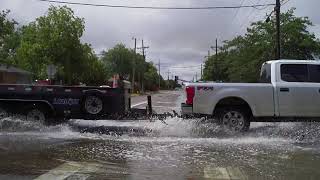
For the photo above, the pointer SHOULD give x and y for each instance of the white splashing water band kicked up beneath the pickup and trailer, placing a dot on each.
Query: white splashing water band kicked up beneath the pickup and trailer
(175, 129)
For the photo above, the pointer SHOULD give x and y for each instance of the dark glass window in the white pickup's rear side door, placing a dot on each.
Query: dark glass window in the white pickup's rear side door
(294, 72)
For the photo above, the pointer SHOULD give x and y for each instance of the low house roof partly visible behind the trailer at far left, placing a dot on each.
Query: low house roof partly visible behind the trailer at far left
(13, 75)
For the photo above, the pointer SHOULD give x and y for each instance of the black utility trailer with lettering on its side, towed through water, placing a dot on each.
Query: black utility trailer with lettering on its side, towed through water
(50, 103)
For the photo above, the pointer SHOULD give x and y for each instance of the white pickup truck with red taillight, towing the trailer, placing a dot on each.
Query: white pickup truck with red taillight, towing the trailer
(289, 90)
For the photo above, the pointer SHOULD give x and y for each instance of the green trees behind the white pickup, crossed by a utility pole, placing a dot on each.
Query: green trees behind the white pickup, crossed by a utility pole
(240, 59)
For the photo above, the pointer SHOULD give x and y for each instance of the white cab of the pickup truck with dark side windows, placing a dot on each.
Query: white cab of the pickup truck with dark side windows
(296, 87)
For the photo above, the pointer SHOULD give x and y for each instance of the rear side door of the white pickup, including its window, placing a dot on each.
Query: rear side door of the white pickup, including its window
(295, 93)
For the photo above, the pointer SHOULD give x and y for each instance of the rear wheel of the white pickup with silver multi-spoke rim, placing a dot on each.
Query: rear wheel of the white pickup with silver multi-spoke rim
(234, 119)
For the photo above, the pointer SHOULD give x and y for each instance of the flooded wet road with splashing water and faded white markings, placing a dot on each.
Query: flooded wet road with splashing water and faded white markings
(184, 149)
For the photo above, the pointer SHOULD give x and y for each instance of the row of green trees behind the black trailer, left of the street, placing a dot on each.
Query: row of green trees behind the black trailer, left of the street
(55, 38)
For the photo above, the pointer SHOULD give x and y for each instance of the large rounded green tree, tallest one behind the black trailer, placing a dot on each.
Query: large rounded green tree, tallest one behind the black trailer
(55, 39)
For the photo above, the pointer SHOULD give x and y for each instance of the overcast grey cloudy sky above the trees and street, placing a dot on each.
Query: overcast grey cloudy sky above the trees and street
(179, 38)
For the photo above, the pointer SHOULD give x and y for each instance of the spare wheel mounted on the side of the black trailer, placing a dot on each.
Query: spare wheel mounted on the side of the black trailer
(93, 105)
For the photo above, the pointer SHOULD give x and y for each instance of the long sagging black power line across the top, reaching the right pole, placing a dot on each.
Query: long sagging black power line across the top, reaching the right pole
(158, 7)
